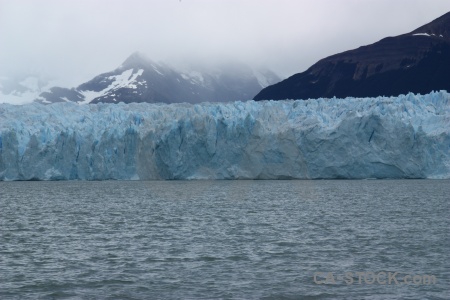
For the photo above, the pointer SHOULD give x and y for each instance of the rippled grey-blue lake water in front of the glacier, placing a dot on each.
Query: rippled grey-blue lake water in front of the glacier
(225, 239)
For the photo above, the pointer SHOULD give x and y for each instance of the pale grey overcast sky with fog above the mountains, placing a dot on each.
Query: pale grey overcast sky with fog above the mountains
(76, 40)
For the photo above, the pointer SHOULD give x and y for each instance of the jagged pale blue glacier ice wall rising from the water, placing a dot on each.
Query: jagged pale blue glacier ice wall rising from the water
(396, 137)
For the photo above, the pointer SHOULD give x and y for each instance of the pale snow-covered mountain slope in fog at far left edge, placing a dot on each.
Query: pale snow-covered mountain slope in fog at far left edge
(21, 89)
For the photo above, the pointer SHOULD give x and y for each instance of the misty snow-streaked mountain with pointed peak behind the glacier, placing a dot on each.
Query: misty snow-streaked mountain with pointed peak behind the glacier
(140, 79)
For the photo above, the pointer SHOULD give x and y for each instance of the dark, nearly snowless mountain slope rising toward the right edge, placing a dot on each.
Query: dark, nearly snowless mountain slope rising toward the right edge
(417, 62)
